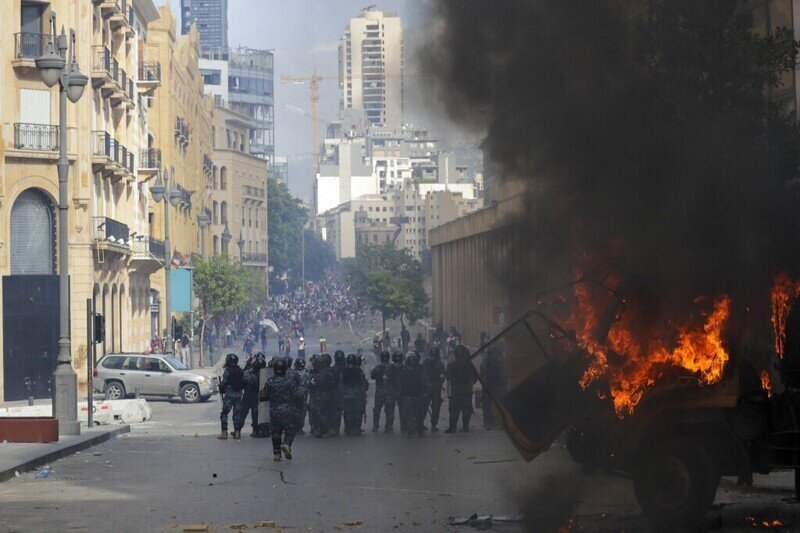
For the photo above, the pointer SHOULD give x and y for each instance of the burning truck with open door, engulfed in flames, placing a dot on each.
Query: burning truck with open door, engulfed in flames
(674, 406)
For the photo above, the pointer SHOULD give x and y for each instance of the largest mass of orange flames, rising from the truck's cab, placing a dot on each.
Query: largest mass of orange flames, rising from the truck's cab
(640, 354)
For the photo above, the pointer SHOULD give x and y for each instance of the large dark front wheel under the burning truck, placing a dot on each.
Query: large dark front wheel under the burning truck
(675, 481)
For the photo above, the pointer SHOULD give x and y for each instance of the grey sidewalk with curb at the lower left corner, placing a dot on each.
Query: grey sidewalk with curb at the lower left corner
(19, 458)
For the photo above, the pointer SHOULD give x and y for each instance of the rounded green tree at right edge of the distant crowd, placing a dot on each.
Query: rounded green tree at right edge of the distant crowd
(390, 281)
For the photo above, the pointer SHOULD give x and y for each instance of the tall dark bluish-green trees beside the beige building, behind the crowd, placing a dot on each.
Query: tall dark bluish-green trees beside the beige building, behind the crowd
(287, 218)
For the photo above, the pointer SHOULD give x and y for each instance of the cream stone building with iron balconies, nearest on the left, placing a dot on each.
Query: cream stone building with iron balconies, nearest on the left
(106, 133)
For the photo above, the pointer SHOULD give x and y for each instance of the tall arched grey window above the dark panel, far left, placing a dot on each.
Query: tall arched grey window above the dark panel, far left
(33, 230)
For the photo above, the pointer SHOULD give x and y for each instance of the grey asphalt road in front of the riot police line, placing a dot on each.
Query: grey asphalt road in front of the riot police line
(173, 472)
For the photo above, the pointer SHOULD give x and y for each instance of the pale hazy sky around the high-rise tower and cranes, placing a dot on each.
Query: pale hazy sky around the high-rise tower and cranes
(305, 34)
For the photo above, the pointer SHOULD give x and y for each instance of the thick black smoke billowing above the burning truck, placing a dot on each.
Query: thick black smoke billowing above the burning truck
(641, 133)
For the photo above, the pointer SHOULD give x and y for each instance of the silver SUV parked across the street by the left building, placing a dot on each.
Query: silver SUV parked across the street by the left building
(119, 375)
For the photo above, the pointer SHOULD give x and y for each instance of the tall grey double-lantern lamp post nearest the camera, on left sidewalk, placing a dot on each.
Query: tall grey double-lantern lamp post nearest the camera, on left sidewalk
(53, 66)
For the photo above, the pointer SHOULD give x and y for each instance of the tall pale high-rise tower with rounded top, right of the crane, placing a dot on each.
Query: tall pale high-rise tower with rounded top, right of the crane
(371, 67)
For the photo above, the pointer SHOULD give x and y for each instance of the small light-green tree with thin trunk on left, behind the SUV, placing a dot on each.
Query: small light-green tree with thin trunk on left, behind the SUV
(220, 286)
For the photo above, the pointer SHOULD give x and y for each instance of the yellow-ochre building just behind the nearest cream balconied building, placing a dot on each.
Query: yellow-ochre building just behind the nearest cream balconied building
(181, 120)
